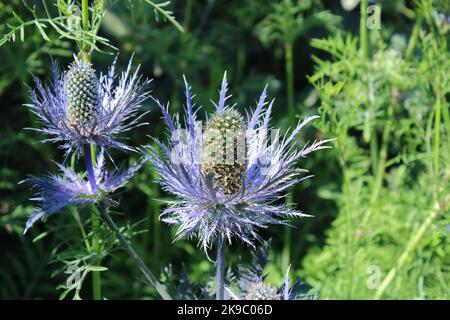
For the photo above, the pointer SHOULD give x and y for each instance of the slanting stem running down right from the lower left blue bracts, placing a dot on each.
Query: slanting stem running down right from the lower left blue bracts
(148, 274)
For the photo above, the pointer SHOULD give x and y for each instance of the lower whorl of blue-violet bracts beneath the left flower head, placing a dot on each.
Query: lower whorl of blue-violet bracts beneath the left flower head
(55, 192)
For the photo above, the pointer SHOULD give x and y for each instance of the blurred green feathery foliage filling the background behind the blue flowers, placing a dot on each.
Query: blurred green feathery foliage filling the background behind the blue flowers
(379, 198)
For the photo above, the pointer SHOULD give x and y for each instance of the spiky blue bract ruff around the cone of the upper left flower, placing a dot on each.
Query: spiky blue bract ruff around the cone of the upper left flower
(117, 99)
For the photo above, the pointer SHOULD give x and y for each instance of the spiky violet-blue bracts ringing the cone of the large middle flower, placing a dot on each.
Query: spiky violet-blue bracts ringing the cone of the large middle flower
(204, 210)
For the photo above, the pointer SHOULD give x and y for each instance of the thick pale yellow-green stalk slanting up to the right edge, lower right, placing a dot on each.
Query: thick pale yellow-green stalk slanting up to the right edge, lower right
(410, 248)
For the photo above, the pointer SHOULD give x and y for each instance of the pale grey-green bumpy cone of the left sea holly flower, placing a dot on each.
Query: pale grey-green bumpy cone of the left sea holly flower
(82, 95)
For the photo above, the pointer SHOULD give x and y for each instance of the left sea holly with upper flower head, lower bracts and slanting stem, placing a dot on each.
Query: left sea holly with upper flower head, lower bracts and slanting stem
(80, 111)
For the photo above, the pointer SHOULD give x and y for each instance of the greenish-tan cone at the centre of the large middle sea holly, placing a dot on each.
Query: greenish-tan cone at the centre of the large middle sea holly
(224, 150)
